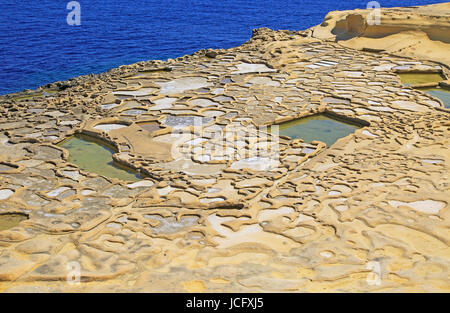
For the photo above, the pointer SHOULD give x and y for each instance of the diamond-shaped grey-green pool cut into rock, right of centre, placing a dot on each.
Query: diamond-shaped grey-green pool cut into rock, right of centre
(316, 127)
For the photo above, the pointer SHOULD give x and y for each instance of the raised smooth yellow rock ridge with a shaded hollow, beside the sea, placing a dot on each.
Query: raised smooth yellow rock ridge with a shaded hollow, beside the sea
(416, 32)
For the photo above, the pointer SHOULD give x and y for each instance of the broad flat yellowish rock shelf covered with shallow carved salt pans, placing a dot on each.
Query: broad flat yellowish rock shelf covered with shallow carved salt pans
(208, 199)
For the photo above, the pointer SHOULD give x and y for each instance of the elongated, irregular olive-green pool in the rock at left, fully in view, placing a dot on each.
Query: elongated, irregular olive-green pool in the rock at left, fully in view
(94, 156)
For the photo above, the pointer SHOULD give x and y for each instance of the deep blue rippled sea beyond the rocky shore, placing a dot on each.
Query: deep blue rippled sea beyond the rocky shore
(38, 47)
